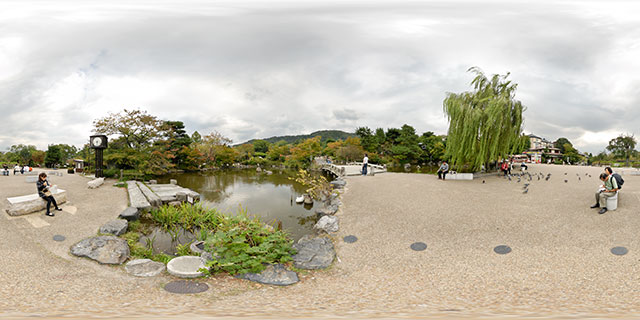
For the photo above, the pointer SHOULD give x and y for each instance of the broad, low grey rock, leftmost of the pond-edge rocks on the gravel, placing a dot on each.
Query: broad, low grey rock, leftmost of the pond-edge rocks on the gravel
(104, 249)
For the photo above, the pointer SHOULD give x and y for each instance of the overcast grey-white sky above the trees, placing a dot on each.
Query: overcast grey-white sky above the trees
(263, 68)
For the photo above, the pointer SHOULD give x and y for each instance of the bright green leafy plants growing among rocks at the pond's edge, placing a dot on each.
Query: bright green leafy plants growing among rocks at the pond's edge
(238, 243)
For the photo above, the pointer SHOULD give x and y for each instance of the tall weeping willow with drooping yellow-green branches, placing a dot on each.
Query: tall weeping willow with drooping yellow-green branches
(484, 125)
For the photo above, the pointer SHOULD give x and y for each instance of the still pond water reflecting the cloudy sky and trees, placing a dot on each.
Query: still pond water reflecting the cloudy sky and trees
(270, 197)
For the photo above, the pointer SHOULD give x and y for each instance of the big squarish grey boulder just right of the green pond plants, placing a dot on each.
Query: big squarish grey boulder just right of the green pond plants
(313, 253)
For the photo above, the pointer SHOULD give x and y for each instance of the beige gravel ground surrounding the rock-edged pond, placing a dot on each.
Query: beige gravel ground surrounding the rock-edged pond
(560, 265)
